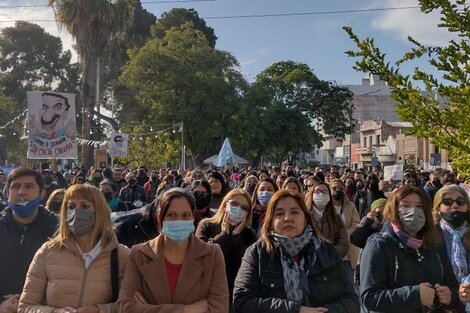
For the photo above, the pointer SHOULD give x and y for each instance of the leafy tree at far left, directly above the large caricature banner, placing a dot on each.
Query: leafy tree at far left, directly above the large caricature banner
(32, 59)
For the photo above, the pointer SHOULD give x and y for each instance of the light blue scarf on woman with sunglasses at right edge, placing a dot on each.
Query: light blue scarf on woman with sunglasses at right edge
(455, 248)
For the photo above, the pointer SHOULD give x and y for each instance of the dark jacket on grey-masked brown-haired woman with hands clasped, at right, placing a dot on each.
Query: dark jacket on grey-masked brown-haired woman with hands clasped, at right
(391, 273)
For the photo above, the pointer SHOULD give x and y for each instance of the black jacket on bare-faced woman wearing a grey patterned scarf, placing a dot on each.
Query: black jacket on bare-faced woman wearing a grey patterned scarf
(259, 286)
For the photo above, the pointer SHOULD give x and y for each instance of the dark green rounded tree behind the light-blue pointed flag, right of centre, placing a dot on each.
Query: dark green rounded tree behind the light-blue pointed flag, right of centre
(288, 109)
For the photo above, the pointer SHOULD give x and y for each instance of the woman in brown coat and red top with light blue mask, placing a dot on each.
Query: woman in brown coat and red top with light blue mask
(175, 272)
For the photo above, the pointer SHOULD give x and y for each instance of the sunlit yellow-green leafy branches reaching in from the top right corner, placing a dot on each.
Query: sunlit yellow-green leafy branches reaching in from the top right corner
(443, 119)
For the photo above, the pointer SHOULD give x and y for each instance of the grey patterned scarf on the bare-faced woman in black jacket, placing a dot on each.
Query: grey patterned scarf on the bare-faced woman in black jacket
(295, 274)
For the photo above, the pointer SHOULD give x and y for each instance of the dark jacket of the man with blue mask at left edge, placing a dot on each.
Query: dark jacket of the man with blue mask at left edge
(18, 244)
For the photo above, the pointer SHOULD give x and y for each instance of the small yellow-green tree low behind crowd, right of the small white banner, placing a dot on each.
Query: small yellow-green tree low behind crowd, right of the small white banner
(155, 150)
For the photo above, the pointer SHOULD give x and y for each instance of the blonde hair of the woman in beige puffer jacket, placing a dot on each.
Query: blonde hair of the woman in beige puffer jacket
(103, 229)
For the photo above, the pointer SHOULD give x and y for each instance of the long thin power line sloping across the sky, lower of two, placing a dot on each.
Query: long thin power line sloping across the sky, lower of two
(276, 14)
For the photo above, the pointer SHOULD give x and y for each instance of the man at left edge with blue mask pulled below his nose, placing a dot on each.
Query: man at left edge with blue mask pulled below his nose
(24, 226)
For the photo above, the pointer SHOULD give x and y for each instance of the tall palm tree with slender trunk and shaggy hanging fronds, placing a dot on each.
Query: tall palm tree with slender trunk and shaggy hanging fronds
(92, 23)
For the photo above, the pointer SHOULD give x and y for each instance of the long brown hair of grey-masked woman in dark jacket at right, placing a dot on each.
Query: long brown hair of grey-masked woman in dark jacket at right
(428, 233)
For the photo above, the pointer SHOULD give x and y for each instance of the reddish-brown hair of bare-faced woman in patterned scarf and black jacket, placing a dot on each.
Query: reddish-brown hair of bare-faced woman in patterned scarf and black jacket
(268, 221)
